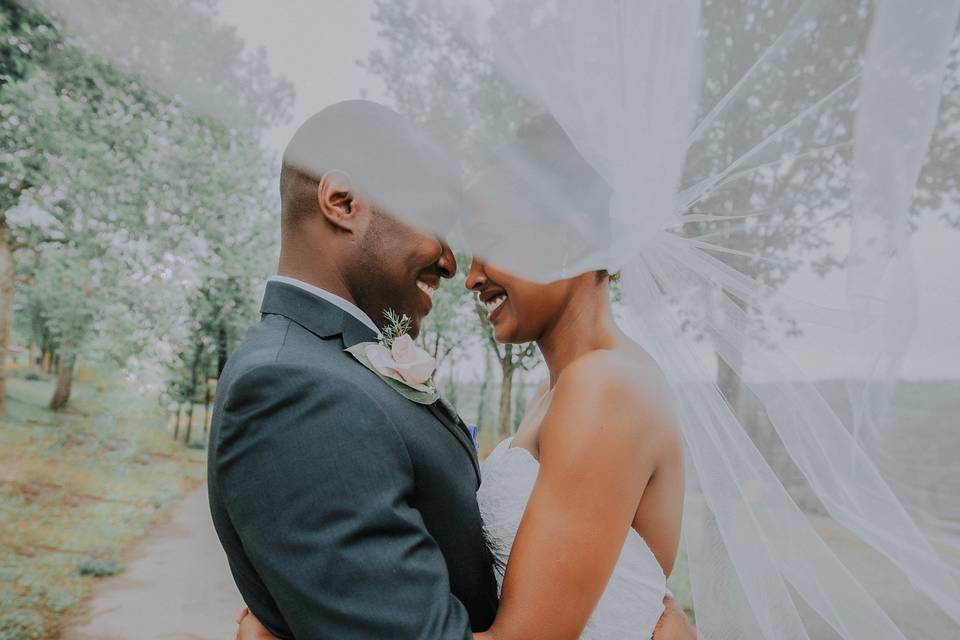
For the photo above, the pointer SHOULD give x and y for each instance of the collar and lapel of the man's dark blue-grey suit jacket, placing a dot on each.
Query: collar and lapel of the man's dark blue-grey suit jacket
(326, 320)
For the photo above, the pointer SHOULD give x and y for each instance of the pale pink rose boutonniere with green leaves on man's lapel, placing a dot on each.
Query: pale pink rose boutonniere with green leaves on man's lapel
(398, 360)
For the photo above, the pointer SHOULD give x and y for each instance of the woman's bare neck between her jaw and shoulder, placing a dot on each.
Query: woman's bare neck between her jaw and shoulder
(584, 324)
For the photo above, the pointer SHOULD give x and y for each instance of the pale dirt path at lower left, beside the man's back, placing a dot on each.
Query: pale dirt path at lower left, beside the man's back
(176, 585)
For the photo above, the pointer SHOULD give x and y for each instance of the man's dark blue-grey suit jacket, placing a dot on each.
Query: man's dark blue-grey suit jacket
(346, 511)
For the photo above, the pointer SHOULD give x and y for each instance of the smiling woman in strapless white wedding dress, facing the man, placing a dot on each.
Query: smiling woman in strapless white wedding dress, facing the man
(586, 500)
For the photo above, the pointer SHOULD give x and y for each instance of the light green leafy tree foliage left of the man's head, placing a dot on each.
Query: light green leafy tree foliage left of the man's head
(140, 194)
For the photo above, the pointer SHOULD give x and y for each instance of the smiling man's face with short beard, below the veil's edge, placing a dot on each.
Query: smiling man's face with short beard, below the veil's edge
(400, 268)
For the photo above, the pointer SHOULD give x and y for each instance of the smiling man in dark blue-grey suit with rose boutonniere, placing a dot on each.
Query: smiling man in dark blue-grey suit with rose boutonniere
(345, 509)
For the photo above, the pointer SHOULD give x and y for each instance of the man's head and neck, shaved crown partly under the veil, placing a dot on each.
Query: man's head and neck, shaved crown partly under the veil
(365, 199)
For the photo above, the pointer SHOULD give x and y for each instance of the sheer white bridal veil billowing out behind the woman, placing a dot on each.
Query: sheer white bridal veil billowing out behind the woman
(767, 161)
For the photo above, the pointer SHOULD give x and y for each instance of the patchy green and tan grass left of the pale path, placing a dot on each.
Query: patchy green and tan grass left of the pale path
(76, 489)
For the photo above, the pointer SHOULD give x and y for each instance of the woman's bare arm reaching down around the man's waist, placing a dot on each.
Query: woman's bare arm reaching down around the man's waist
(600, 444)
